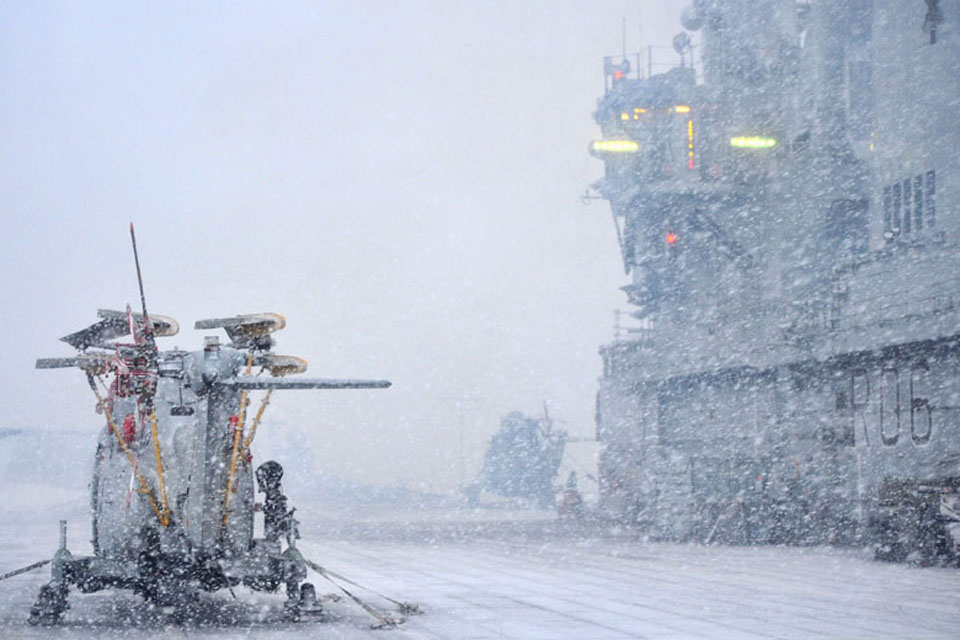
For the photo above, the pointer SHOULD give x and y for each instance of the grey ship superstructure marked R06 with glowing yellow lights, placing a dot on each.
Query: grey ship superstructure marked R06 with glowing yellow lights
(788, 218)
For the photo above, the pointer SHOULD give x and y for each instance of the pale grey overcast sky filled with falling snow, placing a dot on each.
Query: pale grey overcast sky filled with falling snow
(400, 179)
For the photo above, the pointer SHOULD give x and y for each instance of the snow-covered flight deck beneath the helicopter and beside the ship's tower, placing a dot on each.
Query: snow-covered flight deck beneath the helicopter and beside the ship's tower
(477, 577)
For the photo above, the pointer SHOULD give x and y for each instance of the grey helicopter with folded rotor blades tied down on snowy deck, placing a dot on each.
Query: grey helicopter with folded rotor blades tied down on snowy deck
(172, 495)
